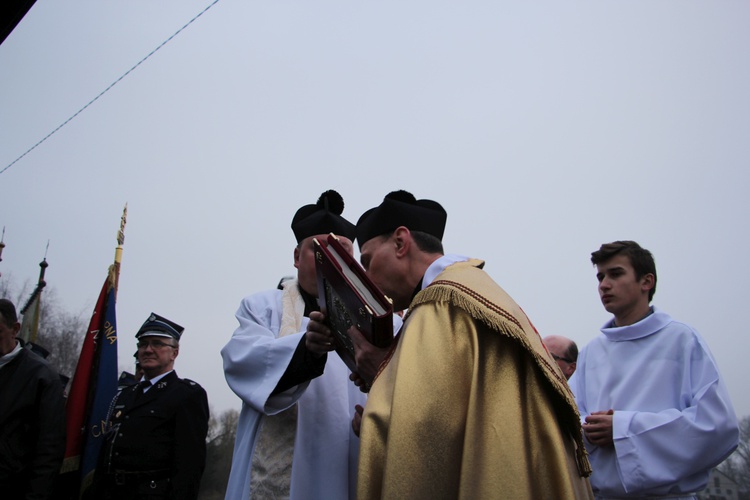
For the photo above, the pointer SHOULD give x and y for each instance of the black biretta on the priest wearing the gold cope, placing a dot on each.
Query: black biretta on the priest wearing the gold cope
(401, 208)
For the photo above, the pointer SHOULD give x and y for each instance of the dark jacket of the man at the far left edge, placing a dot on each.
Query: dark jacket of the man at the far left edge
(32, 427)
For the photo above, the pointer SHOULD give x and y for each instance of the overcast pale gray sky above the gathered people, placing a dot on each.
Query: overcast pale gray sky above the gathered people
(544, 128)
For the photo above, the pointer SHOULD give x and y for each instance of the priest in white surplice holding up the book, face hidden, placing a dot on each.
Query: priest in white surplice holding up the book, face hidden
(294, 437)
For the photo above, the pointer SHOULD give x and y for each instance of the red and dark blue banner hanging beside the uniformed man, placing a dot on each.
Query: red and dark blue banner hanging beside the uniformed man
(92, 390)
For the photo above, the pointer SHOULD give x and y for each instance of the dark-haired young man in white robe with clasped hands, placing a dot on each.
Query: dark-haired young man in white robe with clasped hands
(657, 415)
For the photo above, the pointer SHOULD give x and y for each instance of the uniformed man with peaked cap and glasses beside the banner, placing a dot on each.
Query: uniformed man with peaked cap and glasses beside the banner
(156, 440)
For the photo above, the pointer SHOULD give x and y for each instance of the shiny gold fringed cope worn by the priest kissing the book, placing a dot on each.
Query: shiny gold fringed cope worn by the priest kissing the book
(470, 405)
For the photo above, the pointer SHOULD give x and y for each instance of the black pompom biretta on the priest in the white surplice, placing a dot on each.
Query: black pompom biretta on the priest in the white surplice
(322, 218)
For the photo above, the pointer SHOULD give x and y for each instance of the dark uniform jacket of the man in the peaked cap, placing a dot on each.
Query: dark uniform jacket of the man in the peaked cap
(161, 433)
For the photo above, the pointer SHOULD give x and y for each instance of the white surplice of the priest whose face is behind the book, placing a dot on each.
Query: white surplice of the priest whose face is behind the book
(325, 449)
